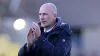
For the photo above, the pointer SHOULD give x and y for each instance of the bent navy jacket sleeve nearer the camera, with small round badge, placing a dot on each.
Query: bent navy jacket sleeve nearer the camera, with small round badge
(61, 48)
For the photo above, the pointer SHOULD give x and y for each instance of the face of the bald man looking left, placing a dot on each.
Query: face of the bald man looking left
(47, 18)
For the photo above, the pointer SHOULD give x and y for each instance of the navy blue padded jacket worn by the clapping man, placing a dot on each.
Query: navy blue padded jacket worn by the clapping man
(57, 42)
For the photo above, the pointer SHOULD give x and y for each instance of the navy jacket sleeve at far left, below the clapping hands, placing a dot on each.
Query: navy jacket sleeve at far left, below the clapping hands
(23, 51)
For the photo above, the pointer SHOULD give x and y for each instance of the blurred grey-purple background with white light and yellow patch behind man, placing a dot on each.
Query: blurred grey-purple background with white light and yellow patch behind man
(16, 17)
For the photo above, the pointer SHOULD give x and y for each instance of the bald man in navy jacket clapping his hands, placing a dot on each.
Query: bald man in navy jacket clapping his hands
(50, 37)
